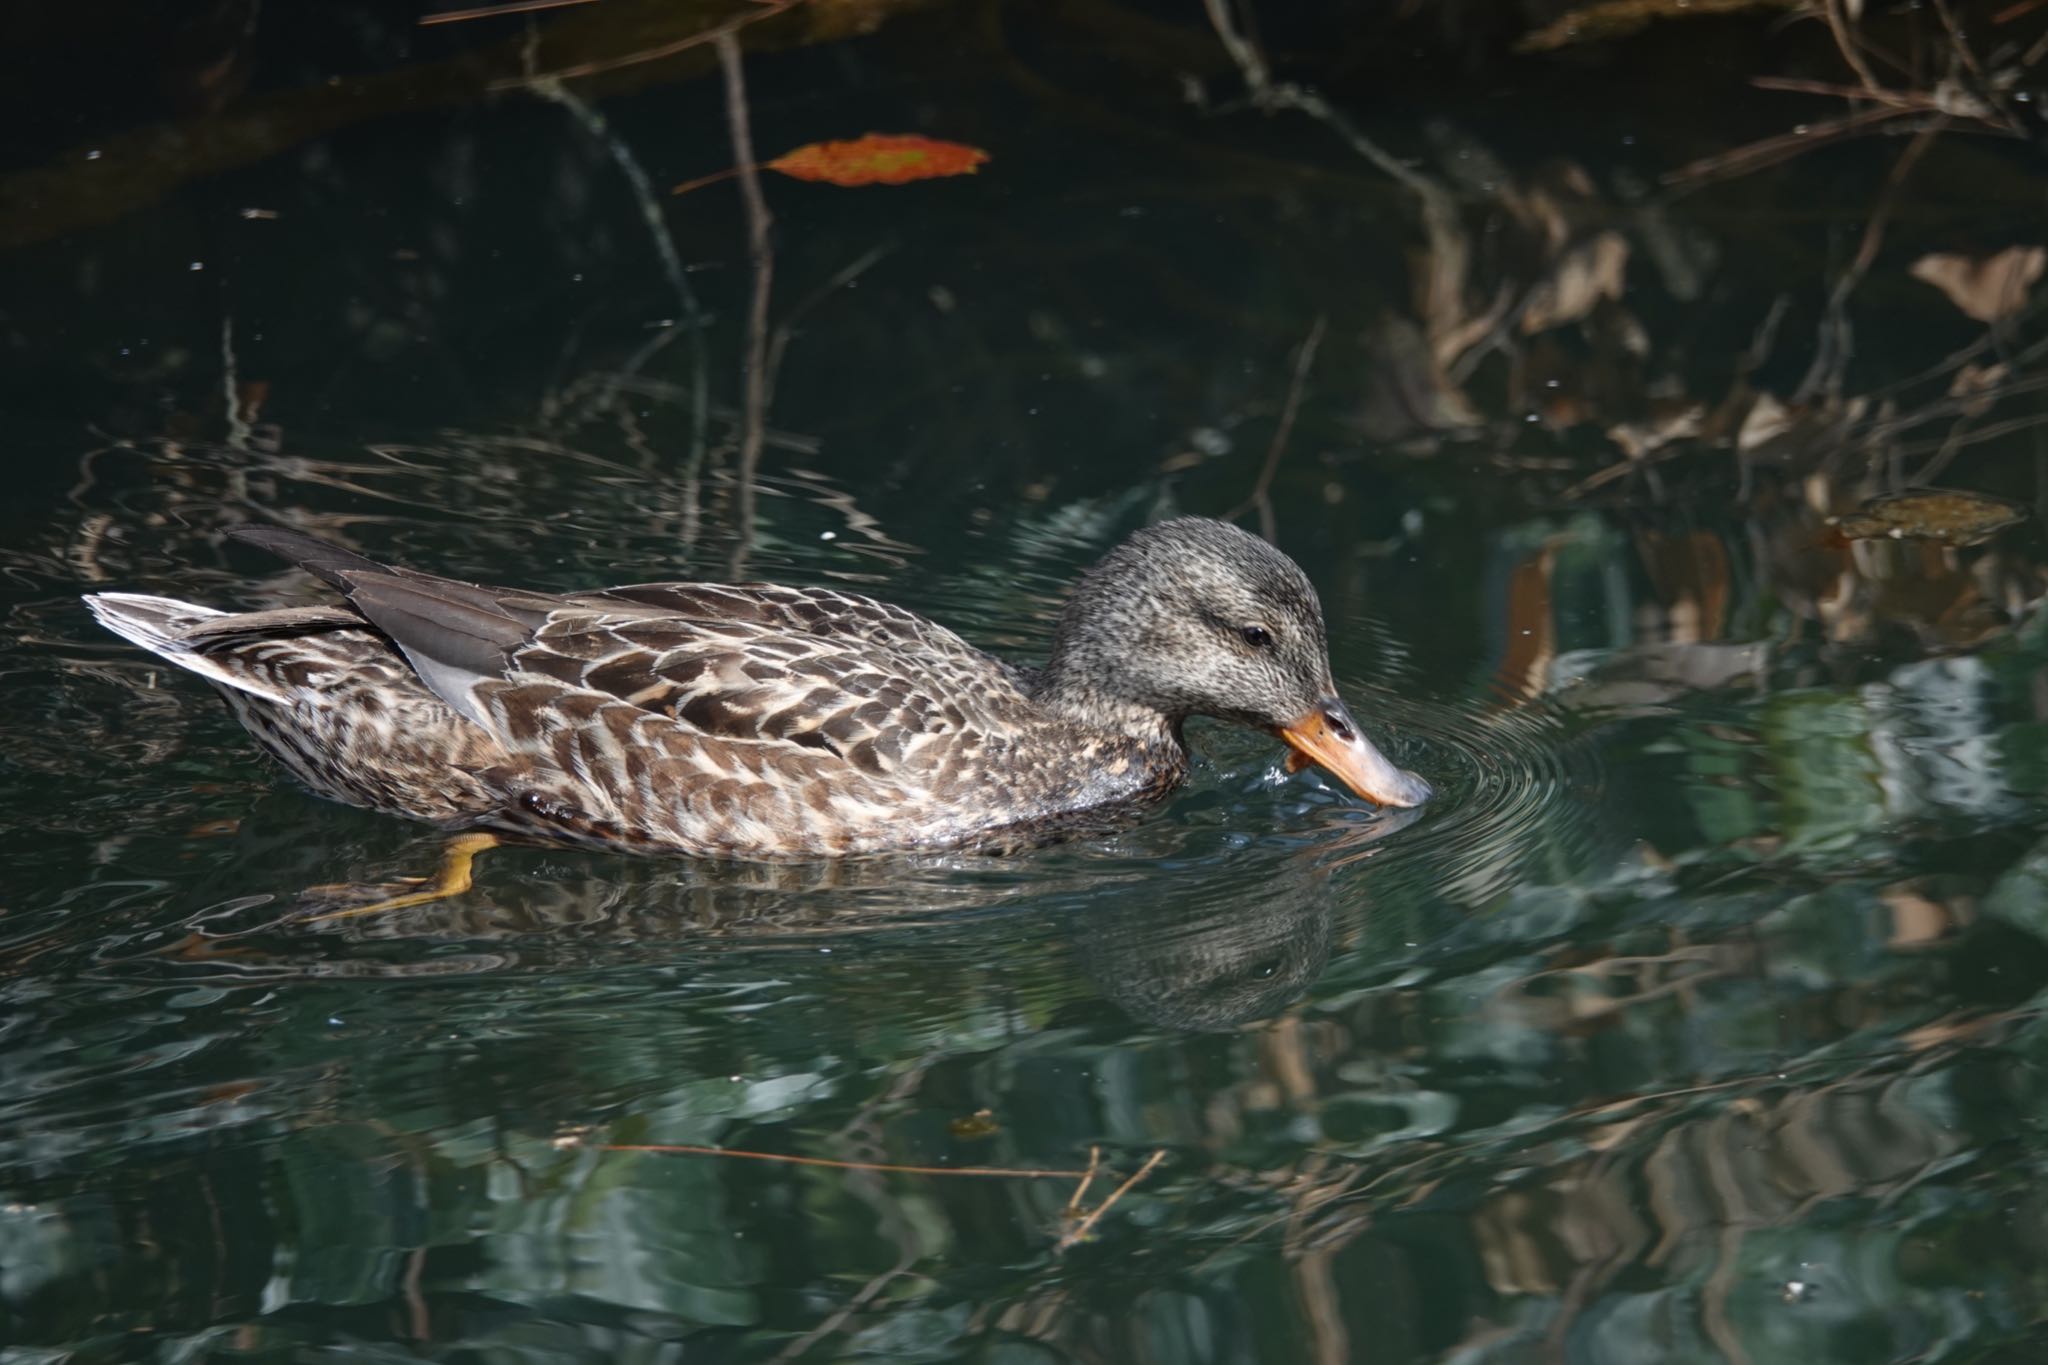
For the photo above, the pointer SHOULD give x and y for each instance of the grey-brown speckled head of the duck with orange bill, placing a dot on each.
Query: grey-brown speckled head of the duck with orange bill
(1201, 619)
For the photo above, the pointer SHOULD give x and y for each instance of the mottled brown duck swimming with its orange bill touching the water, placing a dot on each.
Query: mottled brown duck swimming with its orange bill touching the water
(761, 721)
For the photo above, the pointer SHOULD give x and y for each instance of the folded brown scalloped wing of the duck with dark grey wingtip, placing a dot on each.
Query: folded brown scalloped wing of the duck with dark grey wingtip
(816, 674)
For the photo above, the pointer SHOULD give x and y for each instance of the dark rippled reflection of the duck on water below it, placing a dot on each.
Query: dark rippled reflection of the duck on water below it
(1193, 949)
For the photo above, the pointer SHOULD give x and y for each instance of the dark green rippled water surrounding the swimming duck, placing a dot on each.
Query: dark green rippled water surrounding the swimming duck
(1697, 1020)
